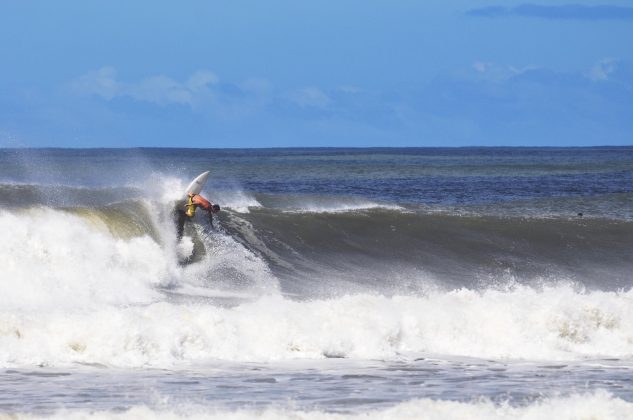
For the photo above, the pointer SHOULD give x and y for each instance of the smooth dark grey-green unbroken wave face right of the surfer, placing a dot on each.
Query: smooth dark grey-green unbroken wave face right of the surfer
(376, 248)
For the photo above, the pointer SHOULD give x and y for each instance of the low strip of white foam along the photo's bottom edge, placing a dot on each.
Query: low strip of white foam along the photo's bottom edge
(598, 405)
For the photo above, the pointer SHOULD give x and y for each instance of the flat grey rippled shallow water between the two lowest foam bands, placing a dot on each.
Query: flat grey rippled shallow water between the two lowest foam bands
(339, 386)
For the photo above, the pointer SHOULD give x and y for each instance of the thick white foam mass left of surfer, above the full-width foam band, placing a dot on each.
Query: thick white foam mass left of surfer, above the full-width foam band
(53, 259)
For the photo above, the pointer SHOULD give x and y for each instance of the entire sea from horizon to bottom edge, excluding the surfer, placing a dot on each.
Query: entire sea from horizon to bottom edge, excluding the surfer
(474, 283)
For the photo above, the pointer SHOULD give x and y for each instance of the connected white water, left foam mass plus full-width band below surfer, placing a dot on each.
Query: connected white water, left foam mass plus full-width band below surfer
(73, 292)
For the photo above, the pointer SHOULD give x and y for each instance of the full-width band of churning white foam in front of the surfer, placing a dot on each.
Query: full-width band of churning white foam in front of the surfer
(552, 324)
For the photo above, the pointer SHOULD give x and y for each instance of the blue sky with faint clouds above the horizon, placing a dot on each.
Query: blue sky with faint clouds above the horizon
(288, 73)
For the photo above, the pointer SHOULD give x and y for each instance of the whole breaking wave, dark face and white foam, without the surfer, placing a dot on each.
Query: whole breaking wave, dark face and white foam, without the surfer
(106, 284)
